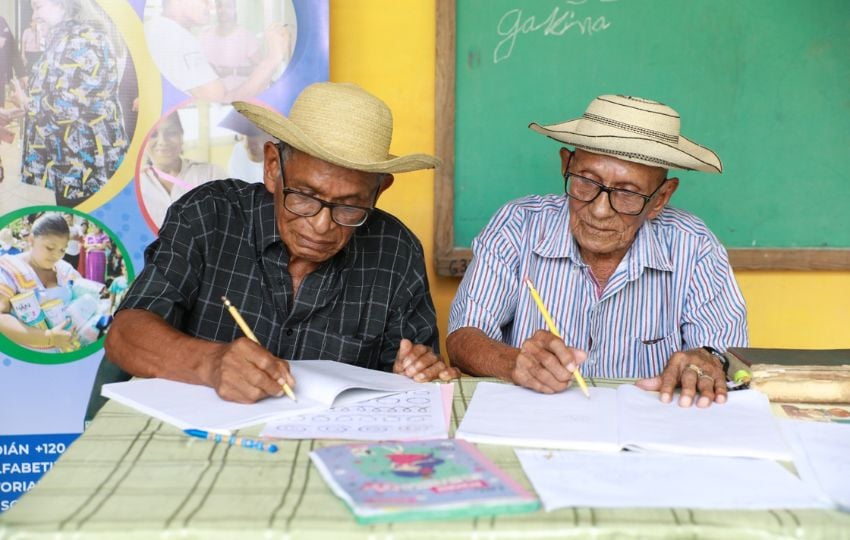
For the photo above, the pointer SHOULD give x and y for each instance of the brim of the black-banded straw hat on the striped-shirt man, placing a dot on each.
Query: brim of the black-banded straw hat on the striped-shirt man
(686, 154)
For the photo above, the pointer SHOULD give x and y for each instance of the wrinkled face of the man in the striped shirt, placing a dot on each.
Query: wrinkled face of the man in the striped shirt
(596, 226)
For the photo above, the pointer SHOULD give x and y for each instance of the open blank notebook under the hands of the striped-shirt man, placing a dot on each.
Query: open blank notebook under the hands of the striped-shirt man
(622, 418)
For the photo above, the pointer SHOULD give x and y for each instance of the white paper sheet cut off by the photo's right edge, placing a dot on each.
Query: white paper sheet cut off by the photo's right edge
(822, 456)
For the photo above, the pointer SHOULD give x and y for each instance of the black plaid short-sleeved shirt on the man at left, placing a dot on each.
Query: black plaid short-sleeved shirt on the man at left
(222, 239)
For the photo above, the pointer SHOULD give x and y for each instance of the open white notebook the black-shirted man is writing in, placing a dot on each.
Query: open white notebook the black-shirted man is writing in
(319, 385)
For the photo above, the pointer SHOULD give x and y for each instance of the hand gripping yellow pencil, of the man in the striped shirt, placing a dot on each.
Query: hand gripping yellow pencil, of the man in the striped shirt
(544, 372)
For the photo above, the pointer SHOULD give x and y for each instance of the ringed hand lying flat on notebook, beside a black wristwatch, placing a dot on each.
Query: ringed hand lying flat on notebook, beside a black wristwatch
(695, 370)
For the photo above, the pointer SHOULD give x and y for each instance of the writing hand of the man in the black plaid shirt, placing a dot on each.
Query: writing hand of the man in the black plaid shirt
(246, 372)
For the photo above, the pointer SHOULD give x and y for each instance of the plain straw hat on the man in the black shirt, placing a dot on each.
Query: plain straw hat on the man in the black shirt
(340, 123)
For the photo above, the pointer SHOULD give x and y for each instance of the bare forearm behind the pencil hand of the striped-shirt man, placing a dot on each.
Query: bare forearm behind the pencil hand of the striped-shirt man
(473, 352)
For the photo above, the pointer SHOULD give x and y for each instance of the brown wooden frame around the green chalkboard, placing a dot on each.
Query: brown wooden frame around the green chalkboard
(452, 260)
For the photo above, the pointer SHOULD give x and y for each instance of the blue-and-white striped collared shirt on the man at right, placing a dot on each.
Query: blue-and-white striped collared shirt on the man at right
(674, 290)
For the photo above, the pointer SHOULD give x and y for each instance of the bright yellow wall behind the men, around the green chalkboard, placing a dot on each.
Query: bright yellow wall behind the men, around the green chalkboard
(388, 47)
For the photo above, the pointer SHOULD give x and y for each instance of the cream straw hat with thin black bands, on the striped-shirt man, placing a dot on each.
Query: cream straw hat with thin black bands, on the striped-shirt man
(633, 129)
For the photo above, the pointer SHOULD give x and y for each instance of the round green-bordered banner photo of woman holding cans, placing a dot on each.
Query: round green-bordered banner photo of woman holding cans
(62, 275)
